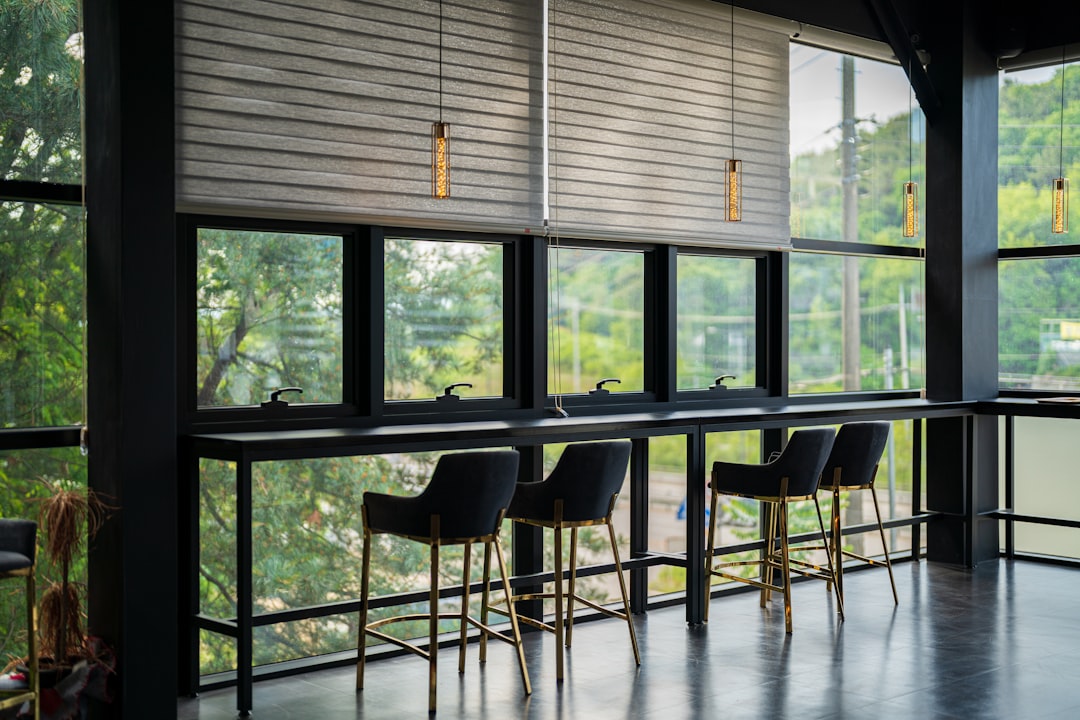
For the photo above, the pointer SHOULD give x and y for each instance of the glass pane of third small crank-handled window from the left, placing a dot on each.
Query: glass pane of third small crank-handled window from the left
(597, 320)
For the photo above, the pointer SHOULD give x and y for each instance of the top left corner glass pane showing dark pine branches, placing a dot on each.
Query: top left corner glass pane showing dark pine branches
(42, 92)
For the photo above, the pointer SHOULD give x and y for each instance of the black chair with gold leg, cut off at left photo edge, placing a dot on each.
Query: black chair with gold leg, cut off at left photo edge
(19, 548)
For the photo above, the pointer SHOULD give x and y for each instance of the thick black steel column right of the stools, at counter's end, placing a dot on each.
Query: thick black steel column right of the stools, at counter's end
(962, 280)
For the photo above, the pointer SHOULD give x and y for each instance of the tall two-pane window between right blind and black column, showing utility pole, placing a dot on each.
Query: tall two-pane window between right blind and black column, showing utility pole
(856, 320)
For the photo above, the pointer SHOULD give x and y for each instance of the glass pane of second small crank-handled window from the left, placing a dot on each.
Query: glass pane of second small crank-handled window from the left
(443, 319)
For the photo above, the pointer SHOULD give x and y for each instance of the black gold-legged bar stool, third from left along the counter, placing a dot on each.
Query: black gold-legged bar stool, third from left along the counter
(793, 476)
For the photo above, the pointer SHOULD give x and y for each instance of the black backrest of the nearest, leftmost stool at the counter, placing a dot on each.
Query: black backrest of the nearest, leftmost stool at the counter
(468, 491)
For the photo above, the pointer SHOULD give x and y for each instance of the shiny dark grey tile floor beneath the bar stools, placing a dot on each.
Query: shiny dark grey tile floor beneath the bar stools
(1000, 642)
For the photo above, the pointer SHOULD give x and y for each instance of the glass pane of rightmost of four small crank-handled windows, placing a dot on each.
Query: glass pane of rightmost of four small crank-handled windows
(717, 321)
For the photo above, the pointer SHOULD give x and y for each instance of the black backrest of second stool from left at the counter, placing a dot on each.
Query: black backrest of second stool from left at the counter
(586, 478)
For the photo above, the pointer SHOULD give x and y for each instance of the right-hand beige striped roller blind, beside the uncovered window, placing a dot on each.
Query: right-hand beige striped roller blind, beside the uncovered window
(641, 123)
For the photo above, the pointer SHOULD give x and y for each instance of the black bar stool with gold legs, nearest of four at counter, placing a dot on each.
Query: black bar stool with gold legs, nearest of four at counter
(465, 504)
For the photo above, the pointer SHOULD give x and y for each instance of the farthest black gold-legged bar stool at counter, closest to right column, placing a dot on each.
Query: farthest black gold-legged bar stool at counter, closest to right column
(853, 466)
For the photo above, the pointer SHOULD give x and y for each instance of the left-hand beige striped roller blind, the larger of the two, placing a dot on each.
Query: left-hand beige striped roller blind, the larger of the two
(323, 110)
